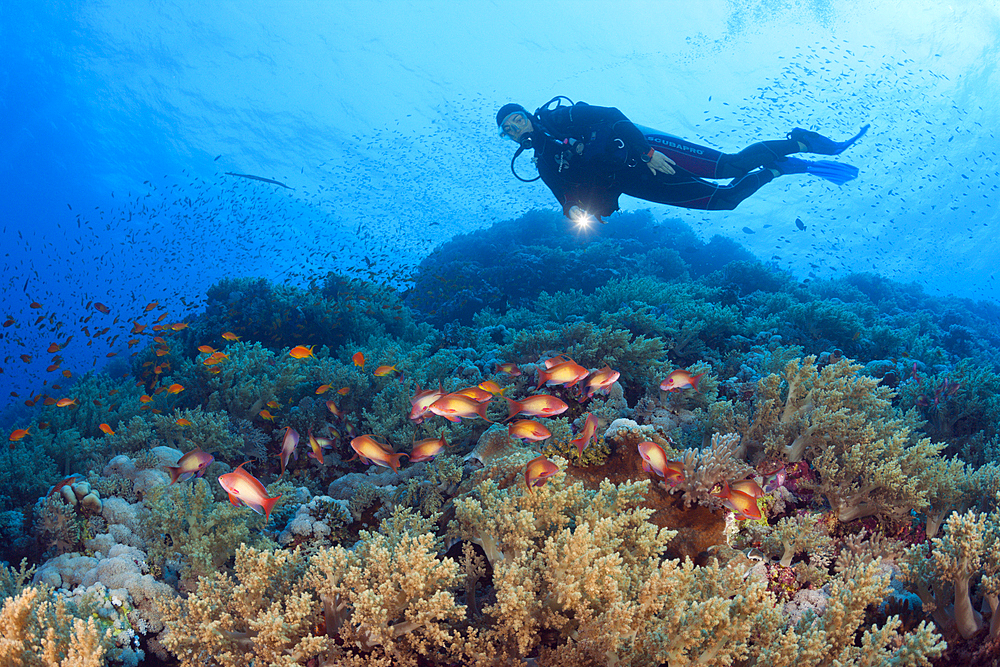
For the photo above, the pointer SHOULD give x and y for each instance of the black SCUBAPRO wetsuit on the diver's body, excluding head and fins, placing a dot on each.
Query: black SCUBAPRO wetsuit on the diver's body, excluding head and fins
(589, 156)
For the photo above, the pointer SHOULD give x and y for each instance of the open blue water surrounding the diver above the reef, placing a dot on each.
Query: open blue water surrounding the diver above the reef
(120, 119)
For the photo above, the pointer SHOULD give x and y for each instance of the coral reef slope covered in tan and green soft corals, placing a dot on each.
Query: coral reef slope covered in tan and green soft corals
(865, 409)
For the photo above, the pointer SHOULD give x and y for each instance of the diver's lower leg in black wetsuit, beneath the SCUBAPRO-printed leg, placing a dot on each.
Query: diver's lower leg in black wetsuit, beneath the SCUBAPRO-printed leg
(689, 192)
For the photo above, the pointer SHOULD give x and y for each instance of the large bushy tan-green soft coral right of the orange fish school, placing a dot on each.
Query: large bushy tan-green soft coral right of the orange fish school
(868, 459)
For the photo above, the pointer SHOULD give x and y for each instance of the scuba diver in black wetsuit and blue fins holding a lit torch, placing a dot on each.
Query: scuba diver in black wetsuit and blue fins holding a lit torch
(589, 156)
